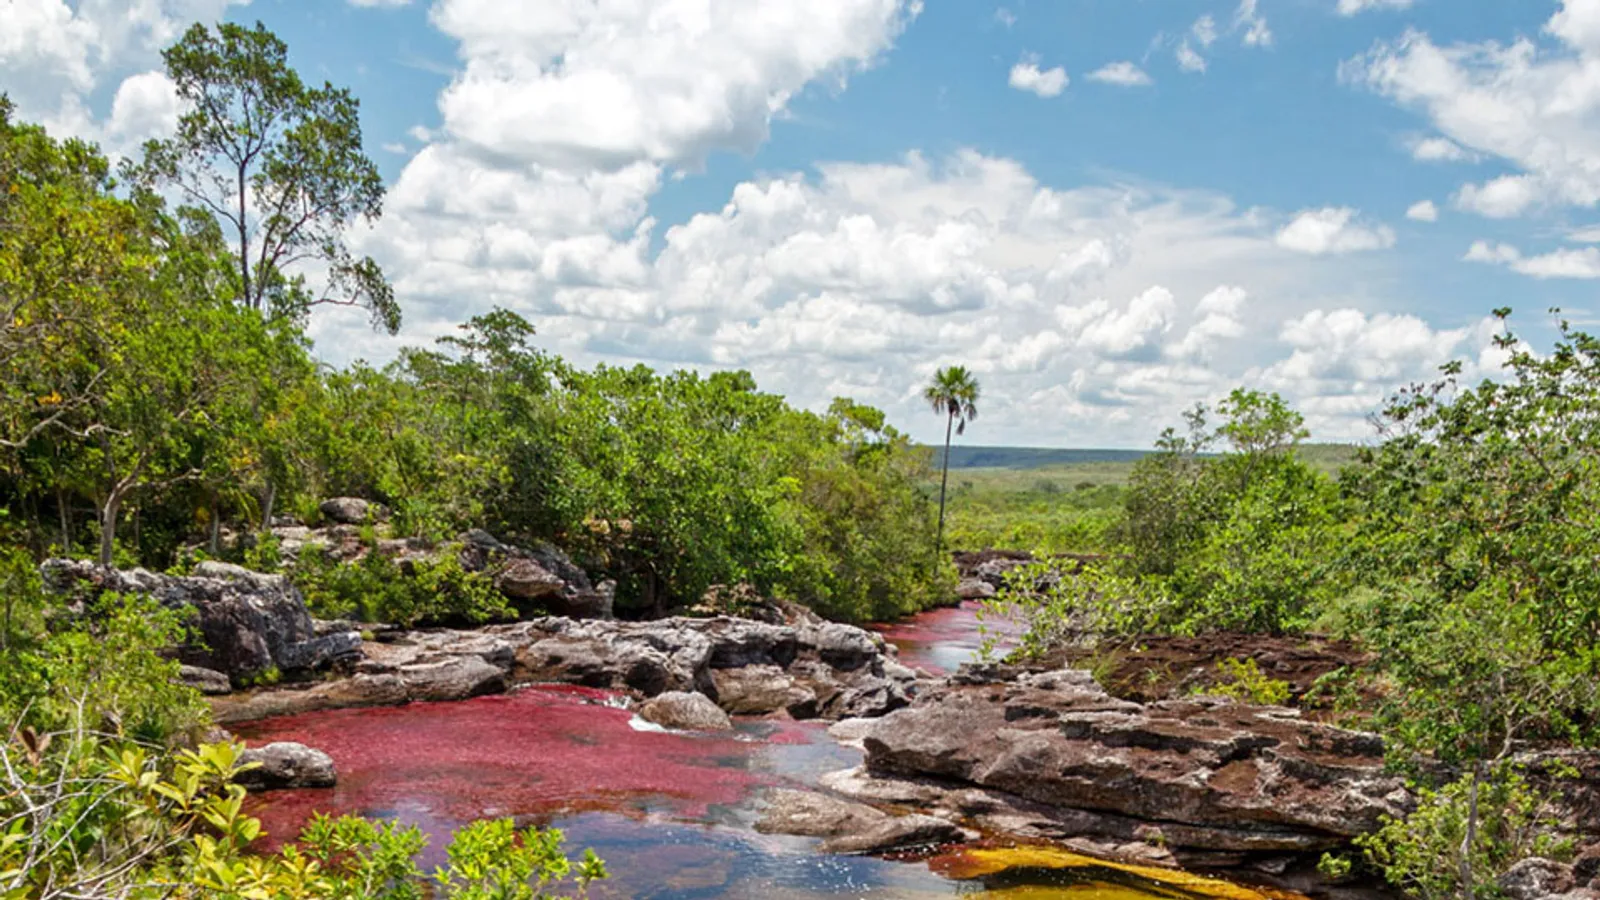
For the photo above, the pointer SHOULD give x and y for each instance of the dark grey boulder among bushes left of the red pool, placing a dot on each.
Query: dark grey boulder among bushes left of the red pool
(246, 624)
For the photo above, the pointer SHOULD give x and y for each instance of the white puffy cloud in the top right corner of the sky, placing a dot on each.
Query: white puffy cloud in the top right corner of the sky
(1527, 103)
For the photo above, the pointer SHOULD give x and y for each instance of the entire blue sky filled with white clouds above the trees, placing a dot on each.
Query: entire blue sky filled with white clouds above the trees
(1110, 209)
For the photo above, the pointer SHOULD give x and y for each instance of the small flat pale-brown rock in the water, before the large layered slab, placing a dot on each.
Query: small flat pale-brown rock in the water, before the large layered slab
(852, 827)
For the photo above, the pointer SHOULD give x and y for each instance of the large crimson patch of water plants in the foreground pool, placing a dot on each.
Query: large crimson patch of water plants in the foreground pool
(535, 753)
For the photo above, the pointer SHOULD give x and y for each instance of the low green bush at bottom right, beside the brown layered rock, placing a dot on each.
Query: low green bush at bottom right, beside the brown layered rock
(1465, 835)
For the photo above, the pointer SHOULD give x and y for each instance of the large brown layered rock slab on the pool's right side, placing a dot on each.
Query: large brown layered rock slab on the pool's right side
(1212, 776)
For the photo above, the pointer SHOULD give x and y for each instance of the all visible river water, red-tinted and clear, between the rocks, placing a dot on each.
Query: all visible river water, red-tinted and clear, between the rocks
(673, 814)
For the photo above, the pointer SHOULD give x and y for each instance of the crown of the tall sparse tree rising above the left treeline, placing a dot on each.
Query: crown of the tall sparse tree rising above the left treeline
(279, 164)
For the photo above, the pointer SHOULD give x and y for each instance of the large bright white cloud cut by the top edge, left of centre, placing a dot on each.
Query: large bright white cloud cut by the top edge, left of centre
(604, 86)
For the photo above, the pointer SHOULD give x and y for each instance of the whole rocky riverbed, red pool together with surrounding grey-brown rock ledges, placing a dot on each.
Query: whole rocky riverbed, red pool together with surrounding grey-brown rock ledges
(766, 729)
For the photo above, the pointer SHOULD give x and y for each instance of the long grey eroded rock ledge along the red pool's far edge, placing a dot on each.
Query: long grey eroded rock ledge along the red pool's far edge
(807, 670)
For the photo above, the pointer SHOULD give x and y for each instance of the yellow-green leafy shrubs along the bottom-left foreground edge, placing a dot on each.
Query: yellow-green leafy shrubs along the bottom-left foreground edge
(90, 819)
